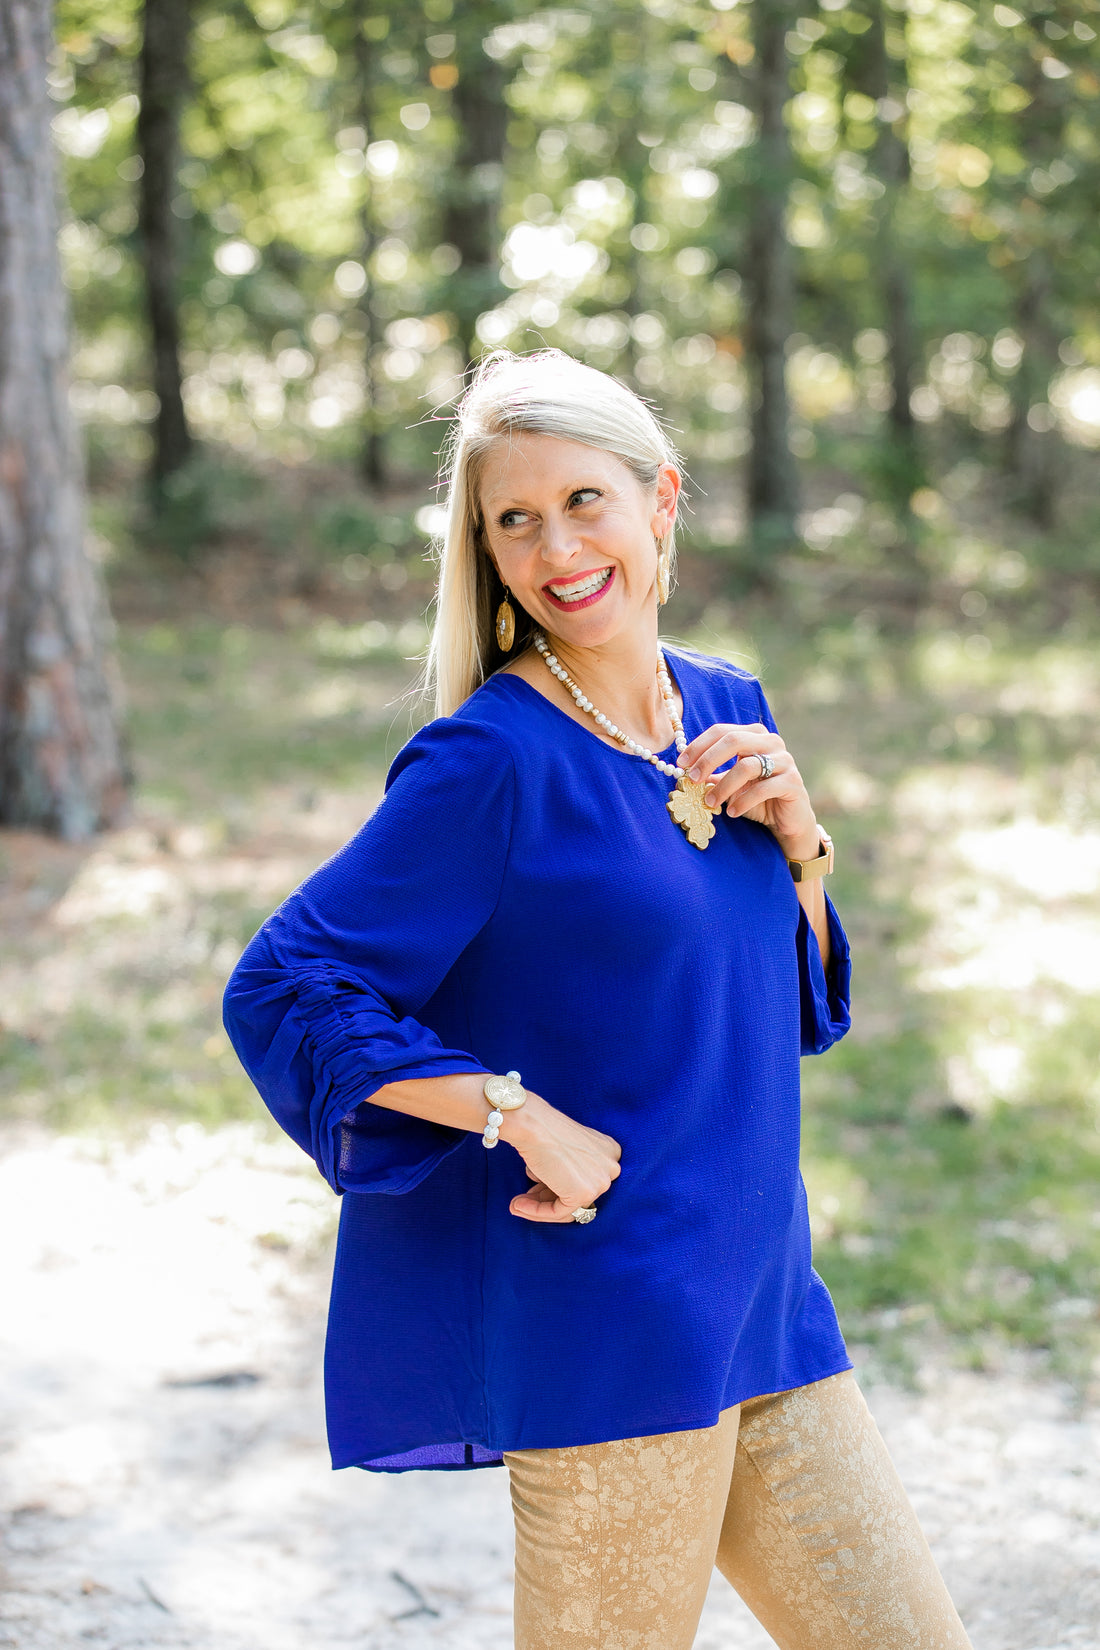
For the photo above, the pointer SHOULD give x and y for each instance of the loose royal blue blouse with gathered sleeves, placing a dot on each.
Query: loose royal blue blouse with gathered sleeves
(522, 898)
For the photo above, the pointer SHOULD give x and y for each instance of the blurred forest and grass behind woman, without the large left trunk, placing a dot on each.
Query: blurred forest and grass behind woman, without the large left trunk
(852, 253)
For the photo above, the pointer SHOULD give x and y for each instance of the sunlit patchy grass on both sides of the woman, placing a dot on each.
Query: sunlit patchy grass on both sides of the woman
(952, 1146)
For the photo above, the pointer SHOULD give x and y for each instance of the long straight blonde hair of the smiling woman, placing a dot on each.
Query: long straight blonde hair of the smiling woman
(545, 394)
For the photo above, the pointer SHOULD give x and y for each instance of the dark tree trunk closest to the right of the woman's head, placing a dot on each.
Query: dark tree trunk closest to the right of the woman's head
(773, 474)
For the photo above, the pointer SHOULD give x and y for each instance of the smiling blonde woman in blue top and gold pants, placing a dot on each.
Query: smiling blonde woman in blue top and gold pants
(599, 874)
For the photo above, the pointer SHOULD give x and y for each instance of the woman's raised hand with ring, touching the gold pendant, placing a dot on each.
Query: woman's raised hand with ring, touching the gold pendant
(779, 803)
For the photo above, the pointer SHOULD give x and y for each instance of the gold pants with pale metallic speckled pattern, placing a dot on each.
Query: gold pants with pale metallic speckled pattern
(794, 1499)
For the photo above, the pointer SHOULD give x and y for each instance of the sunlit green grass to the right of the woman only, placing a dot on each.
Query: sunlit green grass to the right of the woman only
(946, 1197)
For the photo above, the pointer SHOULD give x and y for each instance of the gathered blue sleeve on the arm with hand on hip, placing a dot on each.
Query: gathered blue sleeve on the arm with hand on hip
(322, 1007)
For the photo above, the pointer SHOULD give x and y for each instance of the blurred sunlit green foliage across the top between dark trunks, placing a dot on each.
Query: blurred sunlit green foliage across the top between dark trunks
(322, 303)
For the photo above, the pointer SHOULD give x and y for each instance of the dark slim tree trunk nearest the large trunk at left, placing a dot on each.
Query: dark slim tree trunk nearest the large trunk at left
(167, 27)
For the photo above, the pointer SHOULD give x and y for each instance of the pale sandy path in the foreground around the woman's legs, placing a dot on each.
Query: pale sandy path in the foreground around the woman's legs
(146, 1514)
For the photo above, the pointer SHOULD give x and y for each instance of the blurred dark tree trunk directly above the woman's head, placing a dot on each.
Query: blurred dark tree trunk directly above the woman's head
(474, 189)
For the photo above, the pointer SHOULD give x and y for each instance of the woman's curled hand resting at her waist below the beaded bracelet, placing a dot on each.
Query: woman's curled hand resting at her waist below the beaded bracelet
(568, 1162)
